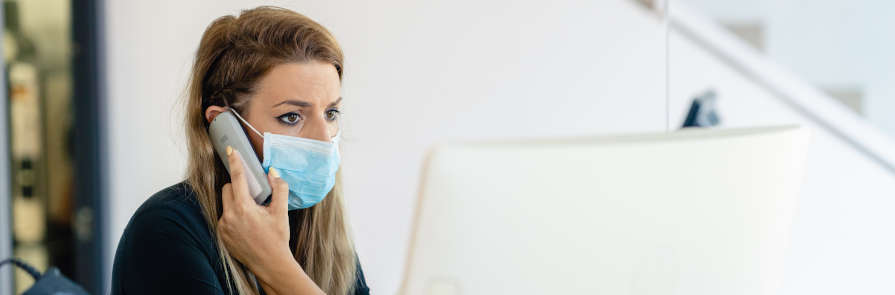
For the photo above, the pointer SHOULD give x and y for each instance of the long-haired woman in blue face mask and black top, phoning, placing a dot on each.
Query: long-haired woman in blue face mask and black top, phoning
(280, 73)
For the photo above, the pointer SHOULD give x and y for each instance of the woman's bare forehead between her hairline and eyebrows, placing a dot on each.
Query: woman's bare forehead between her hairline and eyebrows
(315, 82)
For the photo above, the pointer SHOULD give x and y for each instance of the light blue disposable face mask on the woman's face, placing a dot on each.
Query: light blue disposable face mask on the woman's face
(308, 166)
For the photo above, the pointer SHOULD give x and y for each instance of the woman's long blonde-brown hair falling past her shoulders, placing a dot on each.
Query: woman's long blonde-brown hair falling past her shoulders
(235, 52)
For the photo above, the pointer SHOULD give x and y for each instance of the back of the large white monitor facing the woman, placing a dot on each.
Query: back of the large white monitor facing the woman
(688, 212)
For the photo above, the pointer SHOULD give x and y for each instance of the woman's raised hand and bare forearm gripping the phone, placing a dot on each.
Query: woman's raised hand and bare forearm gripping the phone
(258, 236)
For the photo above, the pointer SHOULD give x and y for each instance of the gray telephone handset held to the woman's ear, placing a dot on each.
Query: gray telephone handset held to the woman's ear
(225, 131)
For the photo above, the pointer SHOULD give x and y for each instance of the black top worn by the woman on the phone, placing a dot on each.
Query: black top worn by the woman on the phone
(167, 248)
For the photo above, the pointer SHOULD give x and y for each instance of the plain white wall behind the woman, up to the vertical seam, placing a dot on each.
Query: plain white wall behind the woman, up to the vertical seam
(417, 73)
